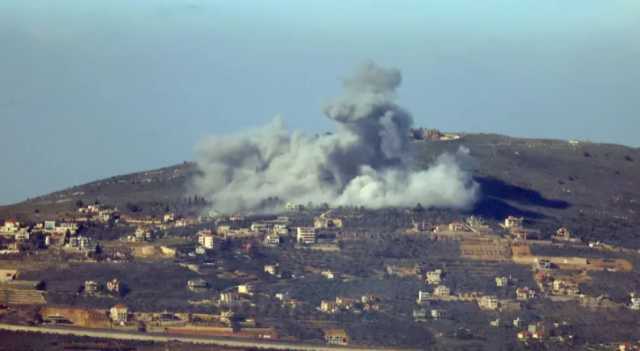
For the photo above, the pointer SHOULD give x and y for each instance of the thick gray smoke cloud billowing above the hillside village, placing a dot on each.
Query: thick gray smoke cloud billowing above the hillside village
(366, 162)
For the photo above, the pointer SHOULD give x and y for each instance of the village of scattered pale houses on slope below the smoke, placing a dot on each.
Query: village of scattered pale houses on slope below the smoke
(309, 276)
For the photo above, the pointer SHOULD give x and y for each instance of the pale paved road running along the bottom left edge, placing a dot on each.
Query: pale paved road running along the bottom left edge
(219, 341)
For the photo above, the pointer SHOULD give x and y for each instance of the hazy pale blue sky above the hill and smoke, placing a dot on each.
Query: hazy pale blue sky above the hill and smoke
(92, 89)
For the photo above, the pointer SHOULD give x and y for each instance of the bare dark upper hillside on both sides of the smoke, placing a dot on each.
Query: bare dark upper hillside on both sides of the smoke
(591, 188)
